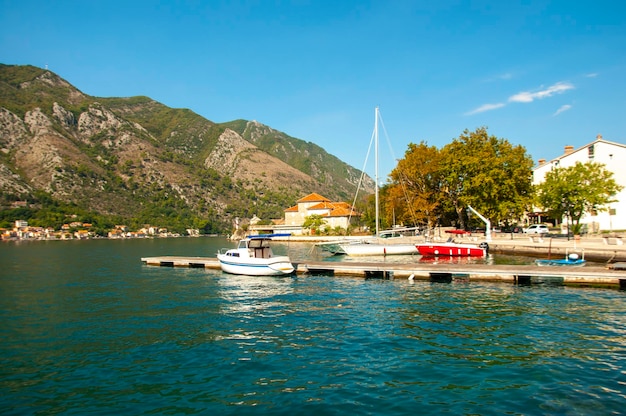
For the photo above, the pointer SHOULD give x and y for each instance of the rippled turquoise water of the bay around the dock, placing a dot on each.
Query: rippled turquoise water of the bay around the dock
(86, 328)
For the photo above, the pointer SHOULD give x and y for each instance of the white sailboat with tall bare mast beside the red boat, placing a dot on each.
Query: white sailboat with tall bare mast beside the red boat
(377, 246)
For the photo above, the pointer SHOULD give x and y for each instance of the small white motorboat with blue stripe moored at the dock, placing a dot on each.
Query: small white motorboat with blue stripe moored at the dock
(254, 257)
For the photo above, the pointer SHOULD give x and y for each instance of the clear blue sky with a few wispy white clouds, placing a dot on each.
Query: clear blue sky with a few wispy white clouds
(541, 74)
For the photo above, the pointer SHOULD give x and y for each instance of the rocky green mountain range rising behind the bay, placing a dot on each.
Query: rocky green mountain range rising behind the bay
(138, 161)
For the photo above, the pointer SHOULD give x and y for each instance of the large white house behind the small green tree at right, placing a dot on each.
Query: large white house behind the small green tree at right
(613, 156)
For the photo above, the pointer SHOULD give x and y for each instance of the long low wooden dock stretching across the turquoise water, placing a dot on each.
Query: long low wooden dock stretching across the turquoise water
(588, 275)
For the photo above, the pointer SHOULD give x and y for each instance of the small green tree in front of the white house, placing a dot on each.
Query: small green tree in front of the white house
(572, 191)
